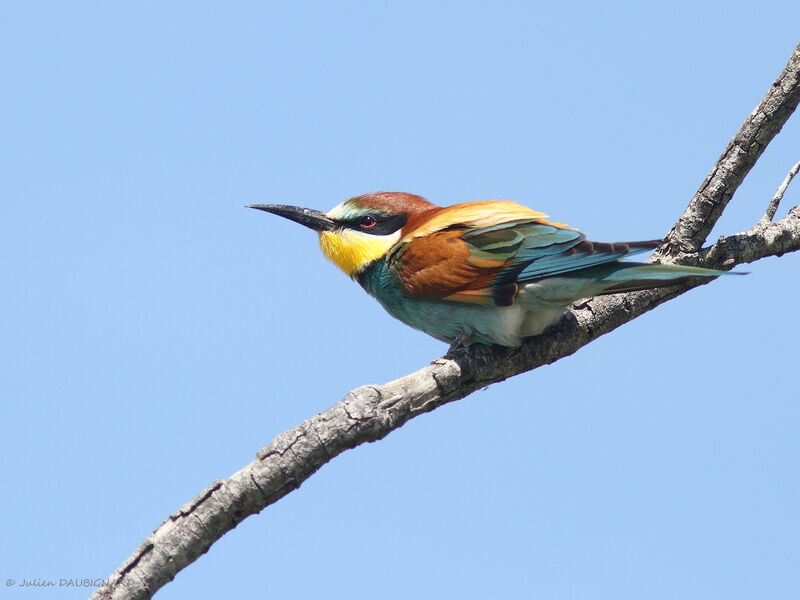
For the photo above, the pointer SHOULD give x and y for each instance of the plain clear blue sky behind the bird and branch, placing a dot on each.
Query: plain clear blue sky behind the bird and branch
(156, 334)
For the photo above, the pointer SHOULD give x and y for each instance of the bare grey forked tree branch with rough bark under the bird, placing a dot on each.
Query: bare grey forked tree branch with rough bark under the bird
(371, 412)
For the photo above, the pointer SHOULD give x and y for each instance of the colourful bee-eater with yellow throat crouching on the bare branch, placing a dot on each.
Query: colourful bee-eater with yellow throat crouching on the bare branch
(489, 272)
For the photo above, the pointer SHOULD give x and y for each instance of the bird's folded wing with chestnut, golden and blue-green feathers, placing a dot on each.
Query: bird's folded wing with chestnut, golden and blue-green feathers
(479, 252)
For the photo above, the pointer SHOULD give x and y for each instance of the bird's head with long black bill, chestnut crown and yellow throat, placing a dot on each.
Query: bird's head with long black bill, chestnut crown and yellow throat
(362, 229)
